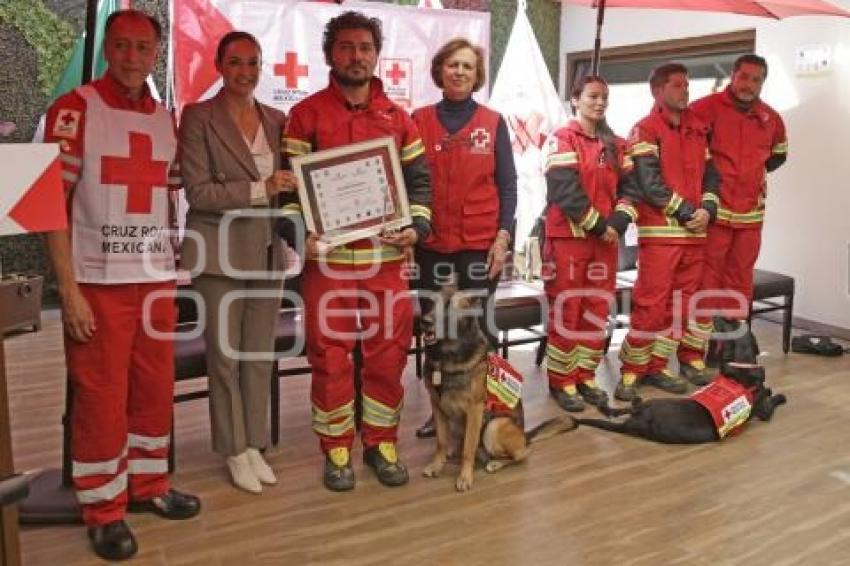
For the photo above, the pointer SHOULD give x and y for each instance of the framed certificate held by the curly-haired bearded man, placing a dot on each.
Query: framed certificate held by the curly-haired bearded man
(352, 192)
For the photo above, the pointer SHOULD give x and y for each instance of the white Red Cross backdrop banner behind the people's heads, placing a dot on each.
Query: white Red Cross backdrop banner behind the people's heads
(290, 33)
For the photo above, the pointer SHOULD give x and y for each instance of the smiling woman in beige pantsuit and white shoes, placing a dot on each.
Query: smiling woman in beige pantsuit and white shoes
(230, 161)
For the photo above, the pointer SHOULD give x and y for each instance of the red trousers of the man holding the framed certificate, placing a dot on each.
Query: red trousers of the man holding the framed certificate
(374, 303)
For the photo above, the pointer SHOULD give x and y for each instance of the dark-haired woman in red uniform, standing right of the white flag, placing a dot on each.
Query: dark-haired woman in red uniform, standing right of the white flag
(586, 168)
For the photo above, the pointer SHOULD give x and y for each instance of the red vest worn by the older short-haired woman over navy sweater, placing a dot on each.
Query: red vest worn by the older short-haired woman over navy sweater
(465, 205)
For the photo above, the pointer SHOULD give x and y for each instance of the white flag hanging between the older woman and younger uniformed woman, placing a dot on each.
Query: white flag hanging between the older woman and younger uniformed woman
(524, 94)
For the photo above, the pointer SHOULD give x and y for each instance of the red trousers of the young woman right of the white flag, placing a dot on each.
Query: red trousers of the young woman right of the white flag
(580, 277)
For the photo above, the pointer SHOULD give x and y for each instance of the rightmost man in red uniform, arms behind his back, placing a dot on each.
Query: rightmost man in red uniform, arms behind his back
(747, 140)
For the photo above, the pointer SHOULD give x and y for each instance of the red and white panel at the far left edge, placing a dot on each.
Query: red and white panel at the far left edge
(32, 198)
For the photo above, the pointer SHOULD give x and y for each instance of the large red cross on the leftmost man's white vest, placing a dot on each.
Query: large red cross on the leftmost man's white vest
(138, 172)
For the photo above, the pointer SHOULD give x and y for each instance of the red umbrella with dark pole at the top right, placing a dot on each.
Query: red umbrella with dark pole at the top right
(776, 9)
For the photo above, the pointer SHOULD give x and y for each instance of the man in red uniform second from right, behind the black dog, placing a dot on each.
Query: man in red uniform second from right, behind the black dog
(678, 184)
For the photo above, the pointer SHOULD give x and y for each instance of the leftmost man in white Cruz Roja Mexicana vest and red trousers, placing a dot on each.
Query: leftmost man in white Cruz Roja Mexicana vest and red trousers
(115, 271)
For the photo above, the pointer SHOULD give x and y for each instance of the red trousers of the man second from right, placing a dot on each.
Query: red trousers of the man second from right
(668, 276)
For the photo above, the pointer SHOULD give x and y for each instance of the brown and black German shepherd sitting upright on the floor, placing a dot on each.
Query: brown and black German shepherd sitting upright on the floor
(455, 372)
